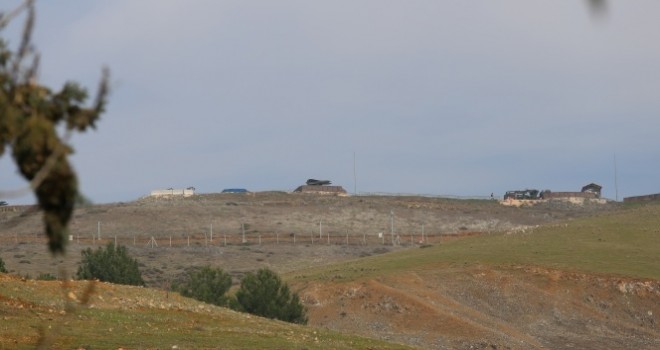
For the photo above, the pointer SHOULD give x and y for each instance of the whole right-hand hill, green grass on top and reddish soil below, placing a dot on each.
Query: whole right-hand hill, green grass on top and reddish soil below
(593, 283)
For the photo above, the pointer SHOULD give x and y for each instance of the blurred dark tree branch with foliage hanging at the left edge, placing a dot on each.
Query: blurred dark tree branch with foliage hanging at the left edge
(30, 115)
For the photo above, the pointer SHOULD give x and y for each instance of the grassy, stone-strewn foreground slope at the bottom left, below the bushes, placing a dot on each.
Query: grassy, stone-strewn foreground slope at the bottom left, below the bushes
(123, 317)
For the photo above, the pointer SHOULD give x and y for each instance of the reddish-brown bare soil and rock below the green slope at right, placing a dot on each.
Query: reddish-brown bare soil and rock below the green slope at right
(504, 308)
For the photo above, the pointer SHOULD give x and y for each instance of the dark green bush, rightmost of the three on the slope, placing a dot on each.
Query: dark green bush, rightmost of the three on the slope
(265, 294)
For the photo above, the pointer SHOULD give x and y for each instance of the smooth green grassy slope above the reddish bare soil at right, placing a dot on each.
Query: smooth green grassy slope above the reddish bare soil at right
(626, 242)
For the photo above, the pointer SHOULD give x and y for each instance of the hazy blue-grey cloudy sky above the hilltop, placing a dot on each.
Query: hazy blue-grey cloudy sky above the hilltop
(462, 98)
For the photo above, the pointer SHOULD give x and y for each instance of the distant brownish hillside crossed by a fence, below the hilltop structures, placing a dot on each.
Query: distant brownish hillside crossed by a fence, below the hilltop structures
(209, 229)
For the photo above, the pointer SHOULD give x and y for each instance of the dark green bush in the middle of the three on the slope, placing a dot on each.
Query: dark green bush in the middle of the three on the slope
(208, 285)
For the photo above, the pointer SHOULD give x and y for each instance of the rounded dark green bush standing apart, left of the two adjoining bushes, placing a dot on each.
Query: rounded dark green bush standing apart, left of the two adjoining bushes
(112, 264)
